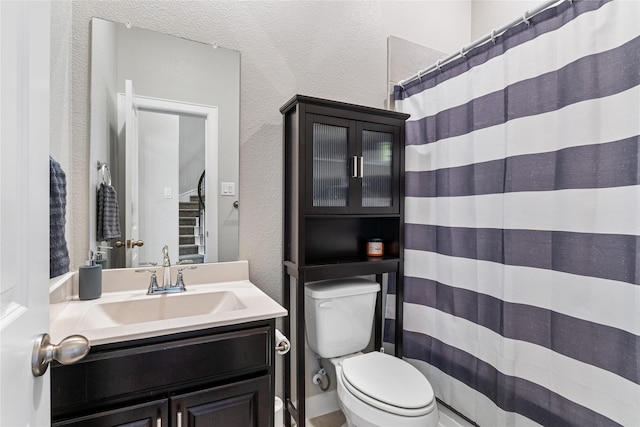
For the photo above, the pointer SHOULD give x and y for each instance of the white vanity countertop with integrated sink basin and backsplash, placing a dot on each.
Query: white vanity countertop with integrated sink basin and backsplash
(225, 285)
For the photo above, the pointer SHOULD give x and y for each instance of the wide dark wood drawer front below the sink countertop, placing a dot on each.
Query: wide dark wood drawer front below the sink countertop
(148, 369)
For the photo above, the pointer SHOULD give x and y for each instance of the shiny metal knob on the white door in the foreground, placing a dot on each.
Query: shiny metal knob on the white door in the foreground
(70, 350)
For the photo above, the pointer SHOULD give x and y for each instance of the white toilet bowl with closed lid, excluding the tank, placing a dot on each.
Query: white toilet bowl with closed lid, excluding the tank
(376, 389)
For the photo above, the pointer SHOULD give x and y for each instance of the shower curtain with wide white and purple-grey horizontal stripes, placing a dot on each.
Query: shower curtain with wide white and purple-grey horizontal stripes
(522, 267)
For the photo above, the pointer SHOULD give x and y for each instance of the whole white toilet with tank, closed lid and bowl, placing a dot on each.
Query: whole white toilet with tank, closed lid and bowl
(374, 389)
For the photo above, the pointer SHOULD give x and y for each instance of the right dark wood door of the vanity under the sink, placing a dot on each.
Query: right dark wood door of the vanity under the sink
(243, 404)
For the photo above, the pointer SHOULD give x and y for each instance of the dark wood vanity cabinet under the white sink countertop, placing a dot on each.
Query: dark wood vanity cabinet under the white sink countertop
(222, 376)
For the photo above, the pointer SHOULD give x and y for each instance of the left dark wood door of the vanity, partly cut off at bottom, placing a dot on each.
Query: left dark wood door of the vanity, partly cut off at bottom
(150, 414)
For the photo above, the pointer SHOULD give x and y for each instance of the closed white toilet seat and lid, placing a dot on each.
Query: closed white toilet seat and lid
(388, 383)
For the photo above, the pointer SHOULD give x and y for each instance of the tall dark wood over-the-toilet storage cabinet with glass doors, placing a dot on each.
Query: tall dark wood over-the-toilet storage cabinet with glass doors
(343, 186)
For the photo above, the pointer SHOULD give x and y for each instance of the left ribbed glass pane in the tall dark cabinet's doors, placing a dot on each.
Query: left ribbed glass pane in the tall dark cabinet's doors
(330, 153)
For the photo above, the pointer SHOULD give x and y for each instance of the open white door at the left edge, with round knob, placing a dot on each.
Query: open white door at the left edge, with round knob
(24, 209)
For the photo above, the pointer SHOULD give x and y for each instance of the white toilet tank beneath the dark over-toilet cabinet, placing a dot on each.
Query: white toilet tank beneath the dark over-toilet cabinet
(339, 315)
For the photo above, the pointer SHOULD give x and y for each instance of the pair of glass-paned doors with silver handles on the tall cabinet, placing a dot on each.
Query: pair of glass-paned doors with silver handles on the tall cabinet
(353, 166)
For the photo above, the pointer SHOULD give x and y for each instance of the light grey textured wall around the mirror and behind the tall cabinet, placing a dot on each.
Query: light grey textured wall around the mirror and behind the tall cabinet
(329, 49)
